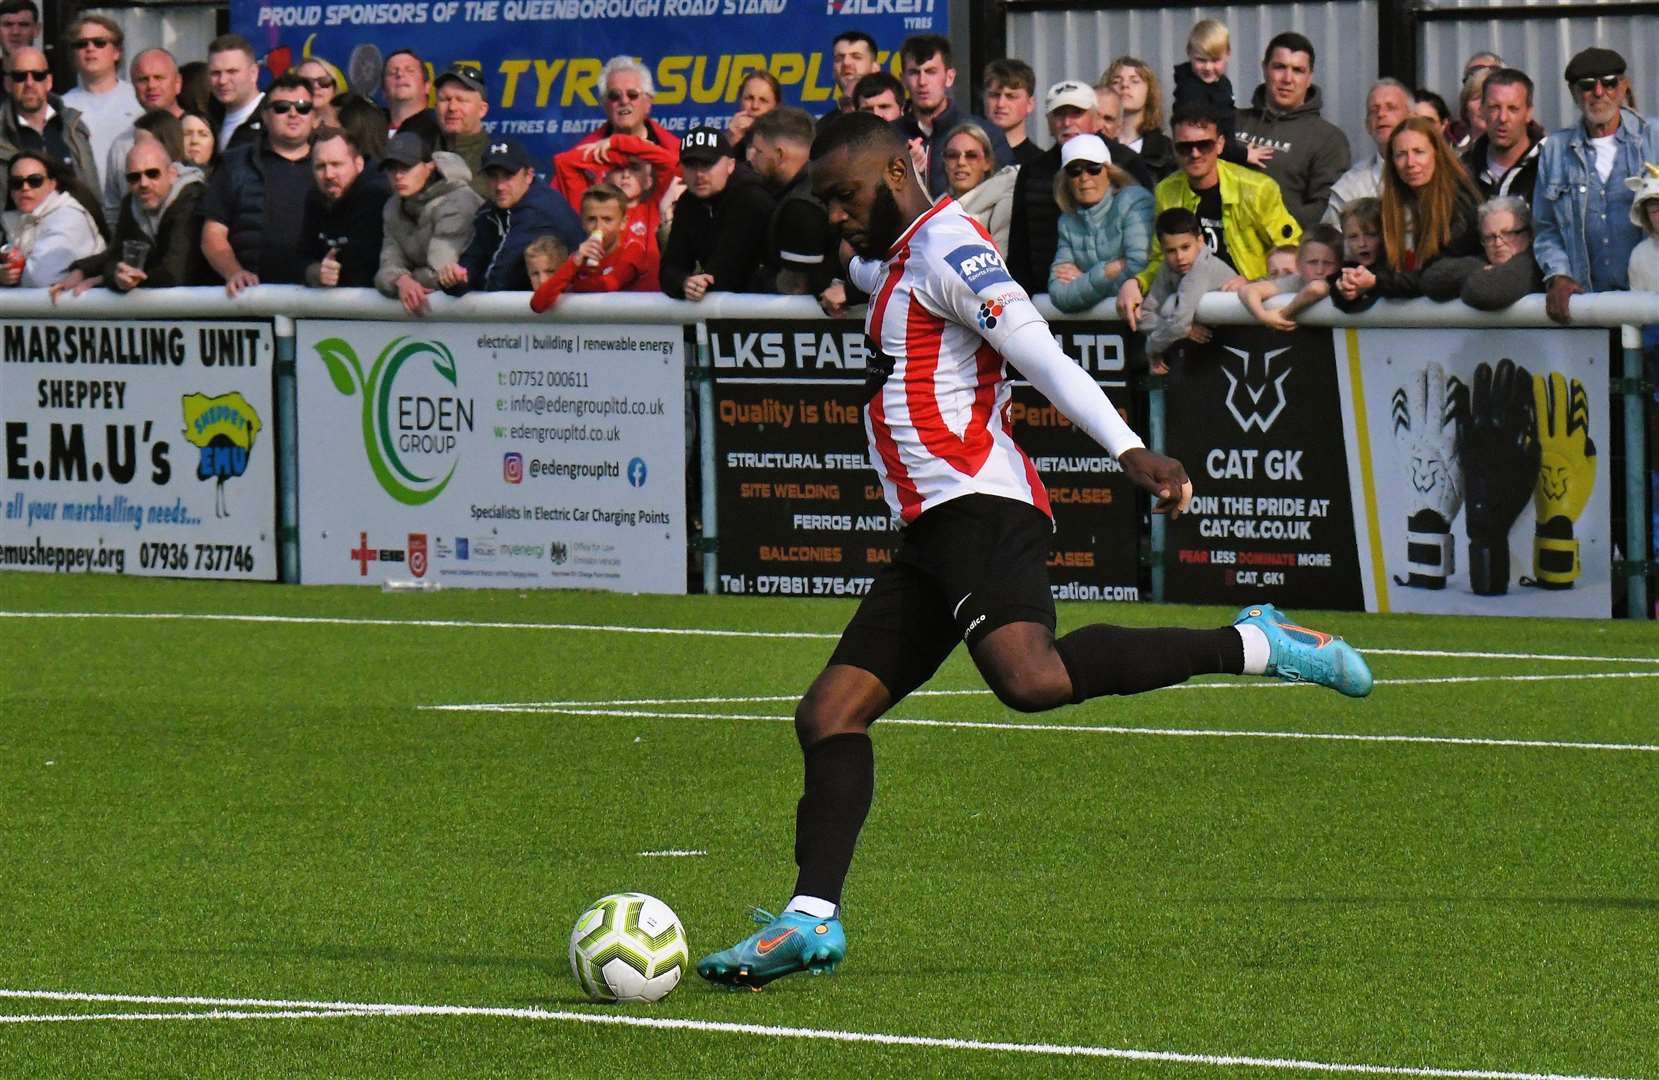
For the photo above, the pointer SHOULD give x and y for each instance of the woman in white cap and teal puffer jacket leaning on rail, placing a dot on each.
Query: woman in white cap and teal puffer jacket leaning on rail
(1106, 226)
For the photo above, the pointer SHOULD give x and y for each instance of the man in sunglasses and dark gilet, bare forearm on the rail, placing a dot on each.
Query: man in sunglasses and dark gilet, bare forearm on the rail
(258, 195)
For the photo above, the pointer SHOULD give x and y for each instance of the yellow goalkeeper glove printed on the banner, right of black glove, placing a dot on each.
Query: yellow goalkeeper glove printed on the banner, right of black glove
(1567, 474)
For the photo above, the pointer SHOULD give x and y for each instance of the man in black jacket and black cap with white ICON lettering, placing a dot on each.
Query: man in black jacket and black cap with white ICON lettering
(718, 241)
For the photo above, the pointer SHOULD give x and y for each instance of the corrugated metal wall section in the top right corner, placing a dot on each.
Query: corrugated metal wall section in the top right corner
(1542, 49)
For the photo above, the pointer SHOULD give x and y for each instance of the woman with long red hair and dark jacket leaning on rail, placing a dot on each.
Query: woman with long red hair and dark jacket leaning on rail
(1428, 215)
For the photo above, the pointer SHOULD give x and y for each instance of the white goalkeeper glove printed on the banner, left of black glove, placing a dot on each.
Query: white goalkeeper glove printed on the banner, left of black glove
(1429, 417)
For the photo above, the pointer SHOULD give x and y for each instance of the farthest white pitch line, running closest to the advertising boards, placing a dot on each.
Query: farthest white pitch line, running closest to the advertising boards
(470, 625)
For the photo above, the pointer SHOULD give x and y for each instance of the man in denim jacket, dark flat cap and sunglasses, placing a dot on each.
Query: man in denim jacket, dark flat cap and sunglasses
(1582, 210)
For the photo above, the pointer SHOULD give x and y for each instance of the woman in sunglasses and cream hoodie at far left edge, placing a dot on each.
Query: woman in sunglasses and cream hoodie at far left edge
(54, 221)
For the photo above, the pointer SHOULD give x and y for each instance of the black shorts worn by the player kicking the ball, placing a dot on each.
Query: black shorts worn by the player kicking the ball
(963, 570)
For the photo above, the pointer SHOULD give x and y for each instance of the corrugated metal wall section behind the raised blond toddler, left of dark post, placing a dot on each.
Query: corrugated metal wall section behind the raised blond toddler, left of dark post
(1081, 44)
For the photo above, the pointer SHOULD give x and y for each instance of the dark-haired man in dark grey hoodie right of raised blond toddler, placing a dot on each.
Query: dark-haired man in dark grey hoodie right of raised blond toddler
(1308, 152)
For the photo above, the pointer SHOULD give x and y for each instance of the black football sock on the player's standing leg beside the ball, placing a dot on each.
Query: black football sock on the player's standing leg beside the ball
(840, 787)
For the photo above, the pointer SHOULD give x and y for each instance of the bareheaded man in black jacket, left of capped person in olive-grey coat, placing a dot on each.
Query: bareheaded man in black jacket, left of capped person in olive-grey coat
(344, 215)
